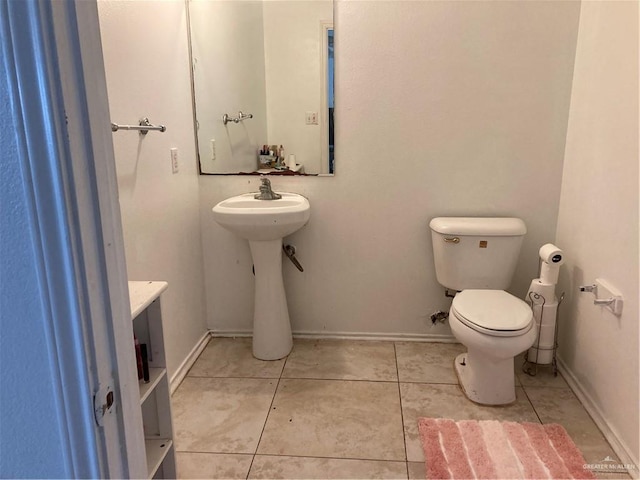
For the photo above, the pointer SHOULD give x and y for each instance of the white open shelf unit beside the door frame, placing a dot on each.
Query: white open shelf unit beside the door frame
(155, 403)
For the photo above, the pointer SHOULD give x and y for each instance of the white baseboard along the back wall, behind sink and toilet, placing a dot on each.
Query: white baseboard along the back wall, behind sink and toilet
(397, 337)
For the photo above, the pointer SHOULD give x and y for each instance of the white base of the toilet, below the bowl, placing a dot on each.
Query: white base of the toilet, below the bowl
(485, 380)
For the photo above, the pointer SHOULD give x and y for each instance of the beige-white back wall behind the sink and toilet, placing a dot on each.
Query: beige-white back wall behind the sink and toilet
(442, 108)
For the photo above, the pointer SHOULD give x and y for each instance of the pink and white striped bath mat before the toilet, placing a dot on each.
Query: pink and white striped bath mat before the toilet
(491, 449)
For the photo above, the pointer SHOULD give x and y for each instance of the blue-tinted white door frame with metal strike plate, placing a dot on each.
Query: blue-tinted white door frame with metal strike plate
(53, 58)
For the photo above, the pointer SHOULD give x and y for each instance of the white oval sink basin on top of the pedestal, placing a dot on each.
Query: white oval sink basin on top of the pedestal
(263, 219)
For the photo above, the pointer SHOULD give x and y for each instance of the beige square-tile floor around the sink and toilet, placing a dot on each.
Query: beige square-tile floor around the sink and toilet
(342, 409)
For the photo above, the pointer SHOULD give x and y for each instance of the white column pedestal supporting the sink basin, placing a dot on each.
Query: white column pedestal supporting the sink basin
(272, 338)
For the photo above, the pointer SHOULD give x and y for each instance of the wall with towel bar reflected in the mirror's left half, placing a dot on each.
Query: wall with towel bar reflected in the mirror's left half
(228, 50)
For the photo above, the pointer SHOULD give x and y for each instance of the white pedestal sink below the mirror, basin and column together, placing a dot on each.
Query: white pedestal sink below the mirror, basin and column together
(265, 223)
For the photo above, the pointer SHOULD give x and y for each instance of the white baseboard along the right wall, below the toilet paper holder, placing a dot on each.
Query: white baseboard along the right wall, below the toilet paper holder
(618, 446)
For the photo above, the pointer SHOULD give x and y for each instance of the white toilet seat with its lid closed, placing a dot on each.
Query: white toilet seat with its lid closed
(493, 312)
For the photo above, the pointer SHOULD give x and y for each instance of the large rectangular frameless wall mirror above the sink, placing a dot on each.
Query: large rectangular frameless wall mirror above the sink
(263, 80)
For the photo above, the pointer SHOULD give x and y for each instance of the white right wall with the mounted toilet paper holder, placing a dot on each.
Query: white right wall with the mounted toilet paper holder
(598, 218)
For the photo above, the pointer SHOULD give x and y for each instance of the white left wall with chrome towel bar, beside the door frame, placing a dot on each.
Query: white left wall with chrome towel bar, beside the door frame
(147, 66)
